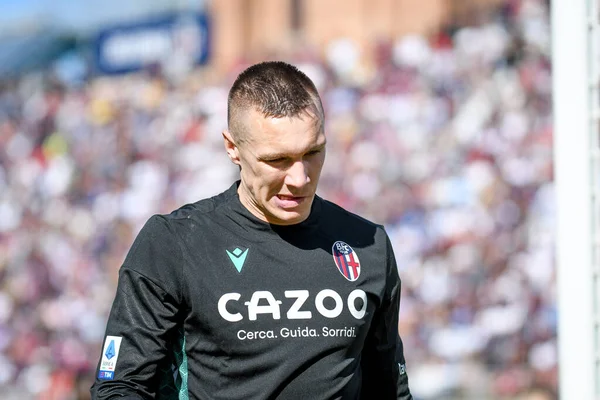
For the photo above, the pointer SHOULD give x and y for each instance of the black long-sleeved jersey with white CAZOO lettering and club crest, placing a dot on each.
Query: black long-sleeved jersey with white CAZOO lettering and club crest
(213, 303)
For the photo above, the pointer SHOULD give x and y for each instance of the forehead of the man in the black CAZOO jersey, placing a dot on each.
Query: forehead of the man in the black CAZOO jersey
(286, 135)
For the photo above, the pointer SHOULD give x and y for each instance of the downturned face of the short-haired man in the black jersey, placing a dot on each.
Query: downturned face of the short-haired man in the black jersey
(281, 161)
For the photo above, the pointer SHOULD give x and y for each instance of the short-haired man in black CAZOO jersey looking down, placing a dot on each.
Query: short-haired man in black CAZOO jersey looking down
(265, 290)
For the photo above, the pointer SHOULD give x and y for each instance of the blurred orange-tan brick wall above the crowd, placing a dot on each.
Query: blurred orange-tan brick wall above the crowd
(256, 28)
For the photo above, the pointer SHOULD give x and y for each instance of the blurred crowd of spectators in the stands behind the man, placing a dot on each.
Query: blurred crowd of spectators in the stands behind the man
(446, 140)
